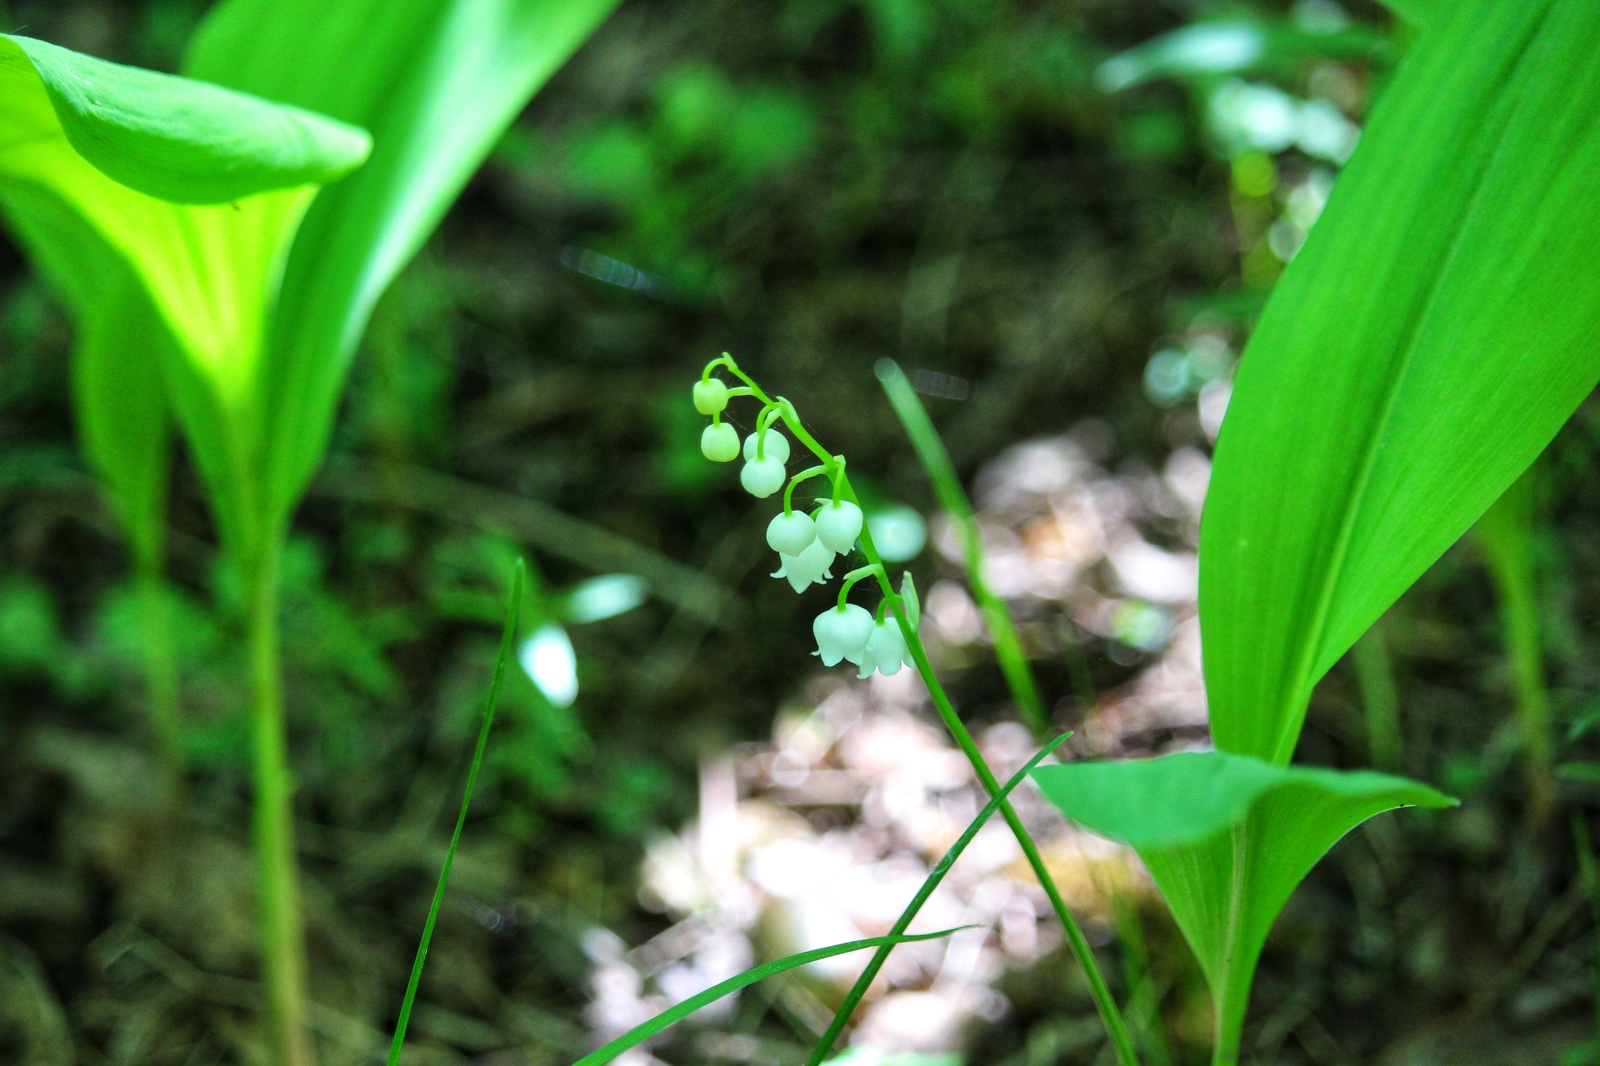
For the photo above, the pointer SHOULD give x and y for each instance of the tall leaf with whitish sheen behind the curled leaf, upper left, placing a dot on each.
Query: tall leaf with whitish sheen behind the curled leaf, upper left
(438, 82)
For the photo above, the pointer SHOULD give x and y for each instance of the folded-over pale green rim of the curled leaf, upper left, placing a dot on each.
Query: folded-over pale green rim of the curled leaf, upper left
(177, 138)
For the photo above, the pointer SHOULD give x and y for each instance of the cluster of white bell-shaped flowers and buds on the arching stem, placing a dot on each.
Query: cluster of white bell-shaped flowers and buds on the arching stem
(806, 543)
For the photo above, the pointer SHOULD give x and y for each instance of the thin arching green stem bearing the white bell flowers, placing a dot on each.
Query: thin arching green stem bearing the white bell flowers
(1103, 1000)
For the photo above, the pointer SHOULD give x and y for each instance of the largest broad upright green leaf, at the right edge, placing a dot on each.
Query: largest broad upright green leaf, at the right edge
(1428, 342)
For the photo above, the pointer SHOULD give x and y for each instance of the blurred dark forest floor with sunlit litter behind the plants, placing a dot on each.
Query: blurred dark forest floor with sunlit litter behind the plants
(812, 185)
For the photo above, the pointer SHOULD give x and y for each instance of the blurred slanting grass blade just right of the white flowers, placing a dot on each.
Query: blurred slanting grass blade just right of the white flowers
(937, 462)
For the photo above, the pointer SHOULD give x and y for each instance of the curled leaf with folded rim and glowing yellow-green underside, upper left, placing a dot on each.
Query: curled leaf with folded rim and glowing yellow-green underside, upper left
(92, 158)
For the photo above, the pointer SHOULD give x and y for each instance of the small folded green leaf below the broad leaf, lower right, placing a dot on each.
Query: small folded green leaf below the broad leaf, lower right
(1226, 838)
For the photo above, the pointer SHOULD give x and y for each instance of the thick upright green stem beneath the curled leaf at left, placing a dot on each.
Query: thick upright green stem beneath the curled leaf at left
(278, 876)
